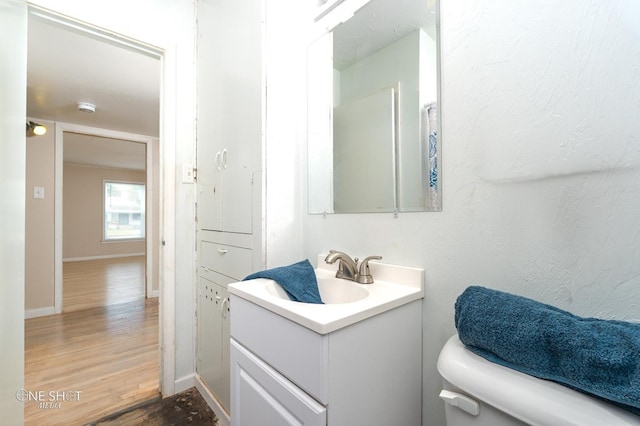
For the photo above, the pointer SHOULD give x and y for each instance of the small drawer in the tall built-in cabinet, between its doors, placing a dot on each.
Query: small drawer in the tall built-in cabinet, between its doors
(234, 262)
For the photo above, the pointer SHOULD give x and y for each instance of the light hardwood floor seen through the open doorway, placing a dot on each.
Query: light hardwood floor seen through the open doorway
(84, 364)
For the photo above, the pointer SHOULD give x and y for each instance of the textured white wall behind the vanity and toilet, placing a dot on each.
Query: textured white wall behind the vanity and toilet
(541, 186)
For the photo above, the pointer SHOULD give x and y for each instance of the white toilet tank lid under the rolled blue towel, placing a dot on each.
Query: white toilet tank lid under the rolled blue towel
(527, 398)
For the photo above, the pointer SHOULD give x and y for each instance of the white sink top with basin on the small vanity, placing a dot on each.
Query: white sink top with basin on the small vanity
(346, 302)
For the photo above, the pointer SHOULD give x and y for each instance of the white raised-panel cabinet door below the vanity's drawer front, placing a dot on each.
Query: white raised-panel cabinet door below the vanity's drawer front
(262, 396)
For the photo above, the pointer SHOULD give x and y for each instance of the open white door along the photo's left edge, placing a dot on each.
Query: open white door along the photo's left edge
(13, 107)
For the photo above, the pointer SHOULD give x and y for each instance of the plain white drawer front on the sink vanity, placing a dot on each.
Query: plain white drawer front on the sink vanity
(296, 352)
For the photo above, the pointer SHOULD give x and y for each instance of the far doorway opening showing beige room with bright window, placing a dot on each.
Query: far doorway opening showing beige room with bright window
(105, 223)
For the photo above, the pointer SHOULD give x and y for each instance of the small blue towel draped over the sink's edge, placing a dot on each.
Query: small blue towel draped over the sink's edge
(298, 280)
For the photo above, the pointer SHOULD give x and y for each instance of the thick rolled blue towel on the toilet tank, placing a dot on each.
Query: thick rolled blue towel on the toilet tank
(595, 356)
